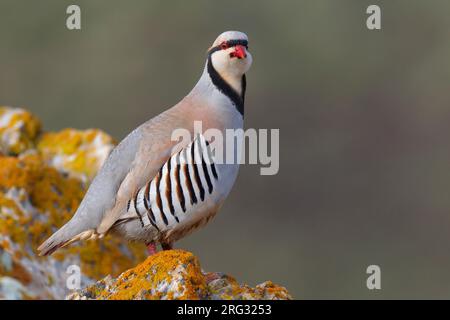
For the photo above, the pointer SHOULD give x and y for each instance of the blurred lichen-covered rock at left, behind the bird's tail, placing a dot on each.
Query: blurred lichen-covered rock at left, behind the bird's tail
(37, 196)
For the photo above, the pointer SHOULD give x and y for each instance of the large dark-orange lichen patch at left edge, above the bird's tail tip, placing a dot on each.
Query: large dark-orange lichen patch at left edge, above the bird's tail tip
(47, 190)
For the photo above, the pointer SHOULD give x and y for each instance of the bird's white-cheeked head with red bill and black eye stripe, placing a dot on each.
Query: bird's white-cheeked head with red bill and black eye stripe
(230, 56)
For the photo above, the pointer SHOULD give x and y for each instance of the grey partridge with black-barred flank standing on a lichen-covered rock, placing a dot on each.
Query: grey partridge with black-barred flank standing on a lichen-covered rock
(148, 189)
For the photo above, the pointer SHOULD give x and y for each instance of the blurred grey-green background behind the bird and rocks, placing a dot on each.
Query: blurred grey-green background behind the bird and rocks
(363, 116)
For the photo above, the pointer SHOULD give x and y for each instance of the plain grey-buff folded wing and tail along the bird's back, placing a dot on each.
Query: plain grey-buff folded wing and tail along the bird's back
(135, 160)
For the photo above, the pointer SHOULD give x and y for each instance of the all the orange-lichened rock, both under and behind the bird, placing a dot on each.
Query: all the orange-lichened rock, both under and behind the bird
(43, 177)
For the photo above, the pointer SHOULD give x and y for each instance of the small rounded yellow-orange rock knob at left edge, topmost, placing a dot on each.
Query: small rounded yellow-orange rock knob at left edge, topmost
(18, 130)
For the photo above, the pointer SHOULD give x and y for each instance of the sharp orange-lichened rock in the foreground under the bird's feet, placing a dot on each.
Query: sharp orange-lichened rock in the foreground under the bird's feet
(176, 274)
